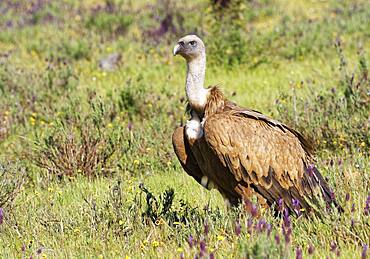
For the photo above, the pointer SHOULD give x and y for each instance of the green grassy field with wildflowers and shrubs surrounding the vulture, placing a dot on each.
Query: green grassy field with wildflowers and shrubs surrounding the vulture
(86, 161)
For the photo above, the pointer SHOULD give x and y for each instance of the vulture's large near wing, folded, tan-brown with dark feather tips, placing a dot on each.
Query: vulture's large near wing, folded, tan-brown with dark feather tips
(267, 156)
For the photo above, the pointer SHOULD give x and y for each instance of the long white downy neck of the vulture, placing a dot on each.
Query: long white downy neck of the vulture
(195, 91)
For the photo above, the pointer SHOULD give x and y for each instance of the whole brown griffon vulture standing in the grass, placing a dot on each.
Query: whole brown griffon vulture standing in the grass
(242, 152)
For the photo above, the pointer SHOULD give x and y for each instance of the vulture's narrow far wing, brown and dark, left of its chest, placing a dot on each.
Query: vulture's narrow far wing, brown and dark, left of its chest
(184, 154)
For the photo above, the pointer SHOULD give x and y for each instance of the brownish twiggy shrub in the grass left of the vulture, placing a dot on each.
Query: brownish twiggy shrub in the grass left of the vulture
(77, 144)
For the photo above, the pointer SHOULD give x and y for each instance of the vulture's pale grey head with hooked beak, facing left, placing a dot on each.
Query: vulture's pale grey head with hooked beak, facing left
(190, 47)
